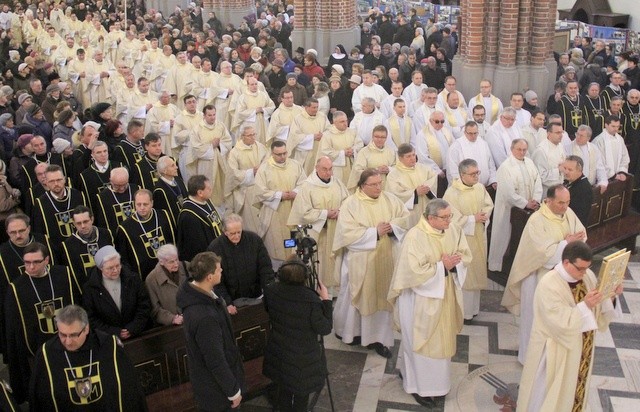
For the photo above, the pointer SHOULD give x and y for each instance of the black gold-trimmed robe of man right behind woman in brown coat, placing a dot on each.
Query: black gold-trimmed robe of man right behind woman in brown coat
(139, 240)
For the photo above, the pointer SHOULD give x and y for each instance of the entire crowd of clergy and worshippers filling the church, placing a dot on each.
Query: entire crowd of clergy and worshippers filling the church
(134, 143)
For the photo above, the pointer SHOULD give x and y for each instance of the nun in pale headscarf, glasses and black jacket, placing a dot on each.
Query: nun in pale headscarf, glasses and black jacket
(115, 298)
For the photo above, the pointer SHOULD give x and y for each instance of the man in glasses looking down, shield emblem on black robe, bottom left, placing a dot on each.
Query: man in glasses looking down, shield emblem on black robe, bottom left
(83, 368)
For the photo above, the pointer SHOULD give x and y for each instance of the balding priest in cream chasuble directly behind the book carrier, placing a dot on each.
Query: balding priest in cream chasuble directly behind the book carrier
(545, 236)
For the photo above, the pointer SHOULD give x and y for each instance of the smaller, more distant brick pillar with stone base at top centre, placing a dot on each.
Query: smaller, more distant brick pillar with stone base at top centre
(323, 24)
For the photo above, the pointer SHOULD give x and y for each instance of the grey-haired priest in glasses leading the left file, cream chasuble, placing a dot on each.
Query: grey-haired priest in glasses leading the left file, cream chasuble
(425, 289)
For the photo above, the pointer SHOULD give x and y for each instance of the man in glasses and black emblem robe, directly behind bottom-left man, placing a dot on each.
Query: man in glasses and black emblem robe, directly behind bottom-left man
(33, 302)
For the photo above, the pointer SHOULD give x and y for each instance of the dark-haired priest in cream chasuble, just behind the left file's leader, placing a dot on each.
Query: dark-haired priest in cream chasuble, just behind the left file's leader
(370, 226)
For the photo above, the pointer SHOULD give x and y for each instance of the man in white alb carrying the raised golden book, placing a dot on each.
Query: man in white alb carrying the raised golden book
(568, 310)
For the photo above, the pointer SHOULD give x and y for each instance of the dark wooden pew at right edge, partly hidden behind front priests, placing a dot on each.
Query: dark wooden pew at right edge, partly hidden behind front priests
(611, 223)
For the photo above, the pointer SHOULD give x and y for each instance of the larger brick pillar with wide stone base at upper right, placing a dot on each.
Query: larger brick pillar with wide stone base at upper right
(508, 42)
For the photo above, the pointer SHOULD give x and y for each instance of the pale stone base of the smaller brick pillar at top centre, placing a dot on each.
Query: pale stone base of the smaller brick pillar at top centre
(325, 40)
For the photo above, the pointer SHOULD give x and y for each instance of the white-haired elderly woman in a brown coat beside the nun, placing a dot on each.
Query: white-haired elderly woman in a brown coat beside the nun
(162, 284)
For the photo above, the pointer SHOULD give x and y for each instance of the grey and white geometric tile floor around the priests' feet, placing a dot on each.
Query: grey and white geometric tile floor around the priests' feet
(363, 381)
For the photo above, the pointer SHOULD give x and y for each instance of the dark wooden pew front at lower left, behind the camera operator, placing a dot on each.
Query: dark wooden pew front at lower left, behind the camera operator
(160, 358)
